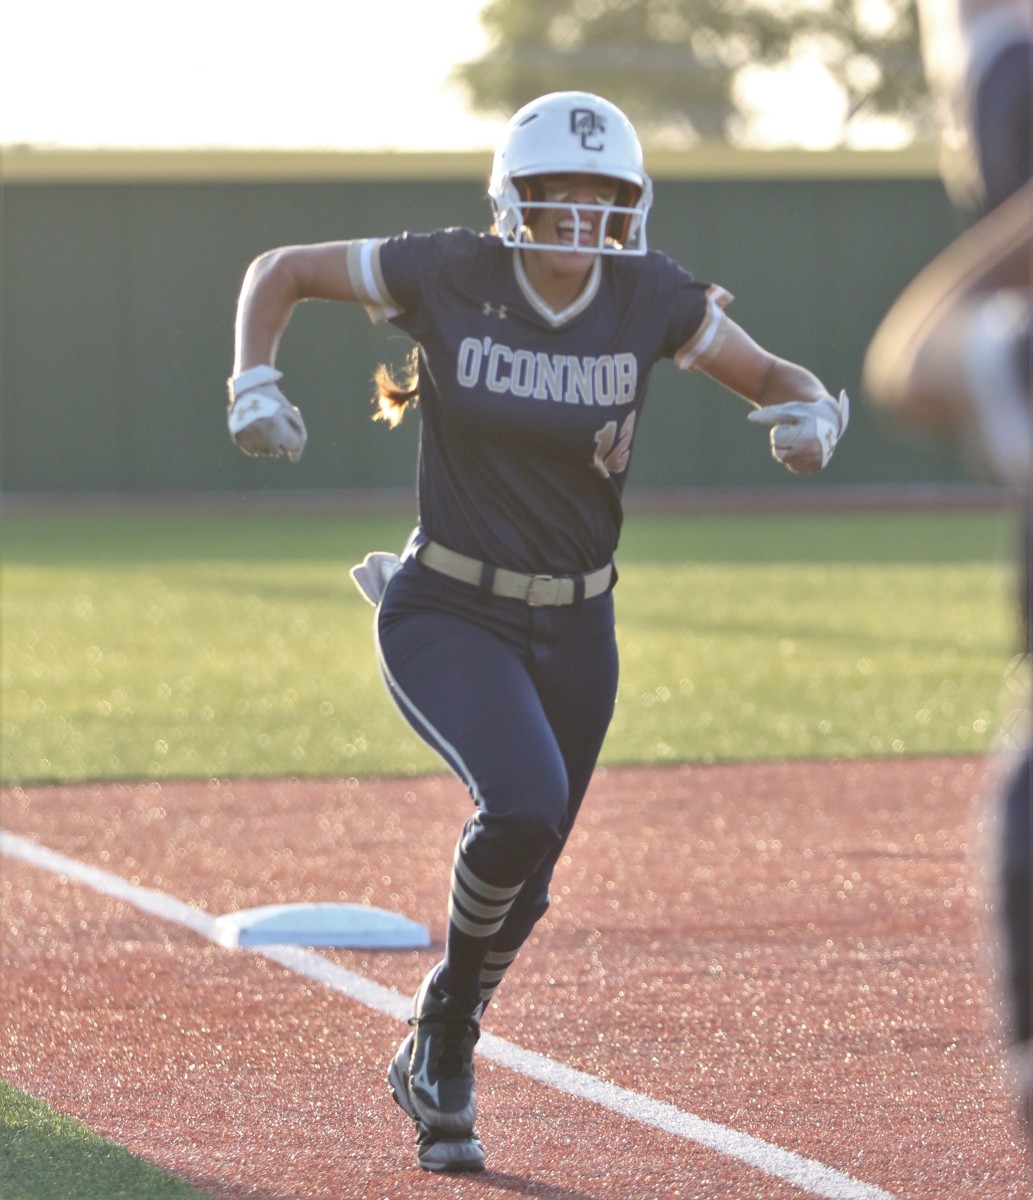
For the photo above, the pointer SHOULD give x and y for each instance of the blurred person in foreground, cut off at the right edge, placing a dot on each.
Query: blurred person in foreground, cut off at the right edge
(953, 357)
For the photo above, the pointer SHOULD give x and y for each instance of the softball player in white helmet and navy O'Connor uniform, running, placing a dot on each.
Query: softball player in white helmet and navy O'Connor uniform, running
(495, 628)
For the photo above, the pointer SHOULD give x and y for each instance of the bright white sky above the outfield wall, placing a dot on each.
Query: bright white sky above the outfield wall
(339, 75)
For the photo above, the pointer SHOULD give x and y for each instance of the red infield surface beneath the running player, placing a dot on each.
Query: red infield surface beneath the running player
(800, 952)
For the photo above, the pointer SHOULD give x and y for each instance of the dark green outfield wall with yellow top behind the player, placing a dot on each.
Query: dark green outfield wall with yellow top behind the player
(119, 275)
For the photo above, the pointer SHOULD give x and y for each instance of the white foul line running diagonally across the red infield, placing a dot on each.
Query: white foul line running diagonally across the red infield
(806, 1174)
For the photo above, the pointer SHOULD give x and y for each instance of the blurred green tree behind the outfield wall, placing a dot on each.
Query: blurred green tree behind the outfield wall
(680, 65)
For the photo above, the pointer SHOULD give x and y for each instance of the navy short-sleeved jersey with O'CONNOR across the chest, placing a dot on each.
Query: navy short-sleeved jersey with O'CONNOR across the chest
(528, 415)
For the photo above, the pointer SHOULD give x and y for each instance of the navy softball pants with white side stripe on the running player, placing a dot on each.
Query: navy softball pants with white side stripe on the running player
(518, 700)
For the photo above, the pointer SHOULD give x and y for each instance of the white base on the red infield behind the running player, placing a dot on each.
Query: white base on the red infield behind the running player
(346, 926)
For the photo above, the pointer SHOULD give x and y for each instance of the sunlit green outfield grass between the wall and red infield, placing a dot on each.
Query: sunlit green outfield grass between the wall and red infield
(178, 646)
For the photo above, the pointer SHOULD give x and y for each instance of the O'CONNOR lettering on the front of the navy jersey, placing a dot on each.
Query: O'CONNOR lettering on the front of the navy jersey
(606, 380)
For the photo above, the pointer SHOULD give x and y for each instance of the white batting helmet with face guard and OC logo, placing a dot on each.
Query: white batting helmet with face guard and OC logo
(572, 134)
